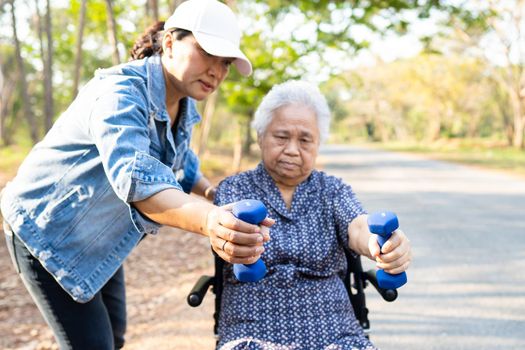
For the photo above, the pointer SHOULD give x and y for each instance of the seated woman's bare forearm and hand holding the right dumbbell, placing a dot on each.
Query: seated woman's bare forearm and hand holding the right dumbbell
(395, 255)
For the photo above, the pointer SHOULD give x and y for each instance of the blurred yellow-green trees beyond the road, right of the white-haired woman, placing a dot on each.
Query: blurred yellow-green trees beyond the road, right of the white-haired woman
(424, 98)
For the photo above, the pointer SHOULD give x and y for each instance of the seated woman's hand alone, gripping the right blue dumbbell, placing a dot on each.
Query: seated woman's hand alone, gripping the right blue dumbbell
(395, 255)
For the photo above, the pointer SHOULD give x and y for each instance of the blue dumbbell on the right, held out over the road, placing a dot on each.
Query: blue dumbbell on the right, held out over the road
(383, 224)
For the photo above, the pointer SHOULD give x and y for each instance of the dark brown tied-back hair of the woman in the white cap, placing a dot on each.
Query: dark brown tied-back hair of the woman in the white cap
(150, 42)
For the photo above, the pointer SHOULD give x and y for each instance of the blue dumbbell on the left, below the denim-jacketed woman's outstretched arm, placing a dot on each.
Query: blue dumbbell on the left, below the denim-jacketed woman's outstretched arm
(253, 212)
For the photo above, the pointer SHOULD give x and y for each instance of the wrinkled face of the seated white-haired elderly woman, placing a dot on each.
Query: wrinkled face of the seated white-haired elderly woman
(290, 143)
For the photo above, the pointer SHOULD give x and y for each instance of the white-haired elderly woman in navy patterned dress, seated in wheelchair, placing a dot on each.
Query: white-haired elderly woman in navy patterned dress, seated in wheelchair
(302, 302)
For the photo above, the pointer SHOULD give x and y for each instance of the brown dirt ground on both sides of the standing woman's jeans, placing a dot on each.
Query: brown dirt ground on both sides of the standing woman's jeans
(159, 274)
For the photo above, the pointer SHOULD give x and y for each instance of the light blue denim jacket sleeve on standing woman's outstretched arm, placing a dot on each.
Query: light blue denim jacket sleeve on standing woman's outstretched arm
(119, 127)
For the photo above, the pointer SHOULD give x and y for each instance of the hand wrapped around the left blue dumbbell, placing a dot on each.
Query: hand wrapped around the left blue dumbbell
(234, 240)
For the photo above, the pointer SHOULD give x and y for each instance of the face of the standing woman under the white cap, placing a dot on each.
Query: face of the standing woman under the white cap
(191, 71)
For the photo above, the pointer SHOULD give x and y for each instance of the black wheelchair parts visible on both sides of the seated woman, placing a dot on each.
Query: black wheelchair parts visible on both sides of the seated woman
(356, 280)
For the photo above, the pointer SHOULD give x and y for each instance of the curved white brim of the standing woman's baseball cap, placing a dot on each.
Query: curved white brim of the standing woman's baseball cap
(219, 47)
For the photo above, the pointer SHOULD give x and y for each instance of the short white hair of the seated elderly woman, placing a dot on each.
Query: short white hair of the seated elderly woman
(288, 93)
